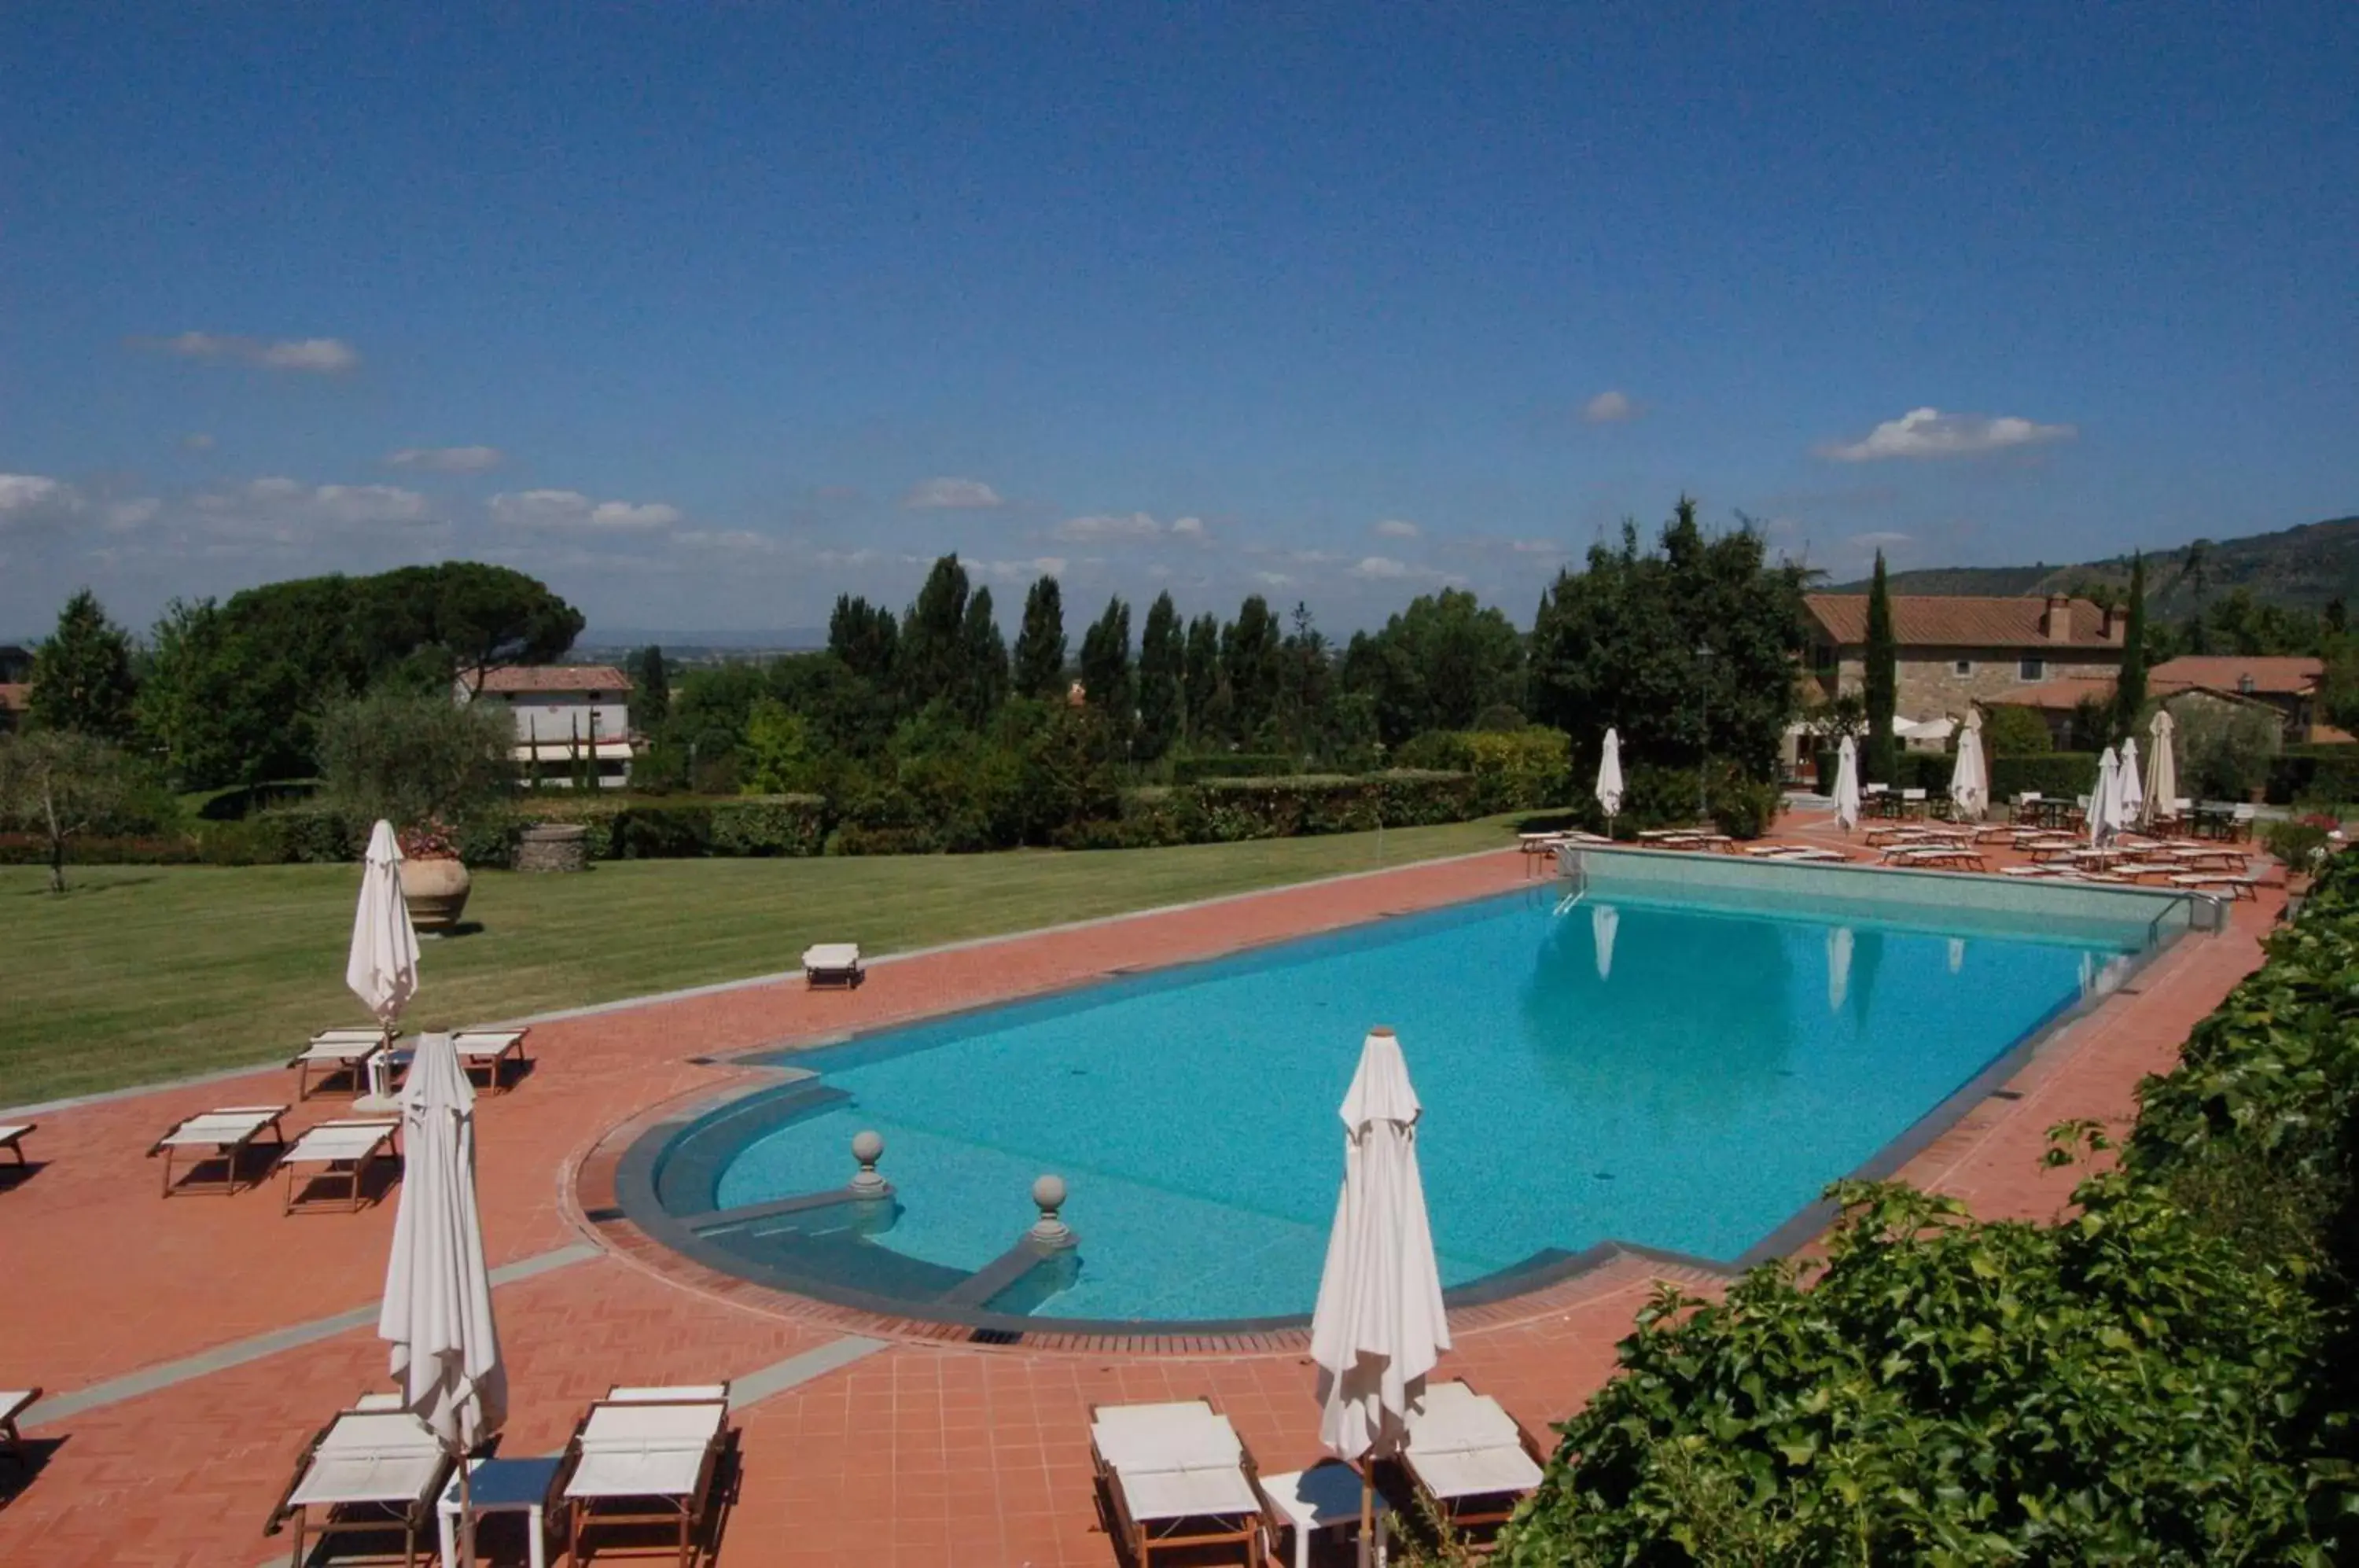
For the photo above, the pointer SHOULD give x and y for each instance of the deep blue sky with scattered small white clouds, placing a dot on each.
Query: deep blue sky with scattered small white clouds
(707, 315)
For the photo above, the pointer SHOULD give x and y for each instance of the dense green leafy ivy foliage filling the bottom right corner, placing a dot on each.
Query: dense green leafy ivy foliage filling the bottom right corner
(2162, 1378)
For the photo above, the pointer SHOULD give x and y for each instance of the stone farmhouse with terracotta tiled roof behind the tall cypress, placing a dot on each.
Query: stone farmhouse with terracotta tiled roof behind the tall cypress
(1954, 652)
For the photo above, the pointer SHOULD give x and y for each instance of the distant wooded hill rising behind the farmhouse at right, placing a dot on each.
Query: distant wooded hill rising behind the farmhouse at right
(2296, 567)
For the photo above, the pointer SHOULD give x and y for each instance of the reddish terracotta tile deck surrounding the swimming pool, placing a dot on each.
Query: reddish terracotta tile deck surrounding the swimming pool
(192, 1345)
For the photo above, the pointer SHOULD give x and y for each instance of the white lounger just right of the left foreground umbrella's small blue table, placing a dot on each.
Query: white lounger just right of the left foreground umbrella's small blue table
(645, 1458)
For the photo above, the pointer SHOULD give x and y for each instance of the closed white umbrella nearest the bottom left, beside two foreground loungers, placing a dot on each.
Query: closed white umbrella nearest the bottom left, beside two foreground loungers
(438, 1291)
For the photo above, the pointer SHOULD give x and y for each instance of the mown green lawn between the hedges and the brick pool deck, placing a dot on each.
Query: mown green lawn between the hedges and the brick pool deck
(157, 973)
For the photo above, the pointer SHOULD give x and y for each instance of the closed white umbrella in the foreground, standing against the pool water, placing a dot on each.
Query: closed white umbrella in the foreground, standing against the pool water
(1379, 1326)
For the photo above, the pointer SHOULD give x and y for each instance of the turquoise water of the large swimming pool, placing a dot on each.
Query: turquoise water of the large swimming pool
(1664, 1074)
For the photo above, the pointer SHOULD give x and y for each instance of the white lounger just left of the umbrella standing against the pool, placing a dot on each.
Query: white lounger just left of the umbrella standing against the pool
(1176, 1480)
